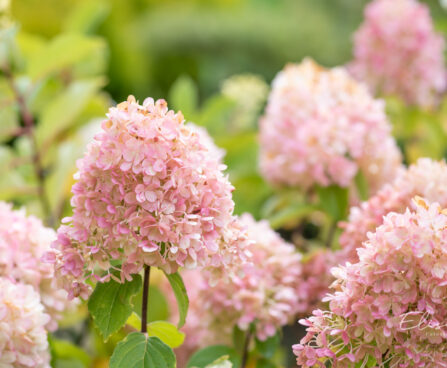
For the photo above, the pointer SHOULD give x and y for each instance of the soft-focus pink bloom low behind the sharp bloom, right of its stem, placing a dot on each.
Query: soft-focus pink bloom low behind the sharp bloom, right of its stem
(265, 291)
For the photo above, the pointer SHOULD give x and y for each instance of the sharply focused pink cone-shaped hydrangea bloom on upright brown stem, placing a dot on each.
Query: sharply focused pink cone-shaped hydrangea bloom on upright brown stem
(148, 192)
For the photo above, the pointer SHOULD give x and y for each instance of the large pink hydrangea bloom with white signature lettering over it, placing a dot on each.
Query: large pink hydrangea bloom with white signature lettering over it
(388, 309)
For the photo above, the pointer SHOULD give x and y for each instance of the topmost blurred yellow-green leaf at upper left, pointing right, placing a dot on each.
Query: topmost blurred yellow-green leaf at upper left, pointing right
(61, 52)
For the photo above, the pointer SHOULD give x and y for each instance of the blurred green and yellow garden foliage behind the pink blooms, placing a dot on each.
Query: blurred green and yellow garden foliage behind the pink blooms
(64, 62)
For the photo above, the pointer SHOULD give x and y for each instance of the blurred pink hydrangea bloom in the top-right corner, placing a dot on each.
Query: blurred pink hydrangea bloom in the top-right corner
(397, 51)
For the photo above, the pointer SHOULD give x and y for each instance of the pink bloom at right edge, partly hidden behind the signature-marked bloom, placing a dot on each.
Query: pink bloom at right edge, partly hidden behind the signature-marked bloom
(426, 178)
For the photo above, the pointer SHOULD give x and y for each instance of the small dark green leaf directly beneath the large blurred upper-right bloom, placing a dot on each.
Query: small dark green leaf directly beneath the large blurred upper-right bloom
(334, 200)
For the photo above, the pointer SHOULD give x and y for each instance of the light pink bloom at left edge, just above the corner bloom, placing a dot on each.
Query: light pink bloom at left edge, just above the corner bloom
(23, 242)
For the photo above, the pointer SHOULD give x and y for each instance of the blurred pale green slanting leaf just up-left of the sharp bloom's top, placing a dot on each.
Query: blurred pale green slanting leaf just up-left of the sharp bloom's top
(61, 113)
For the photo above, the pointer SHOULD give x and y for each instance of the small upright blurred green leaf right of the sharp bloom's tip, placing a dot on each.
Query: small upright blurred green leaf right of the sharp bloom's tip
(184, 96)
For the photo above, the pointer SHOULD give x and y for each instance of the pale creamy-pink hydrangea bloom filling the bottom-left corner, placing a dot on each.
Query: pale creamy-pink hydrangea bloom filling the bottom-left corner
(23, 337)
